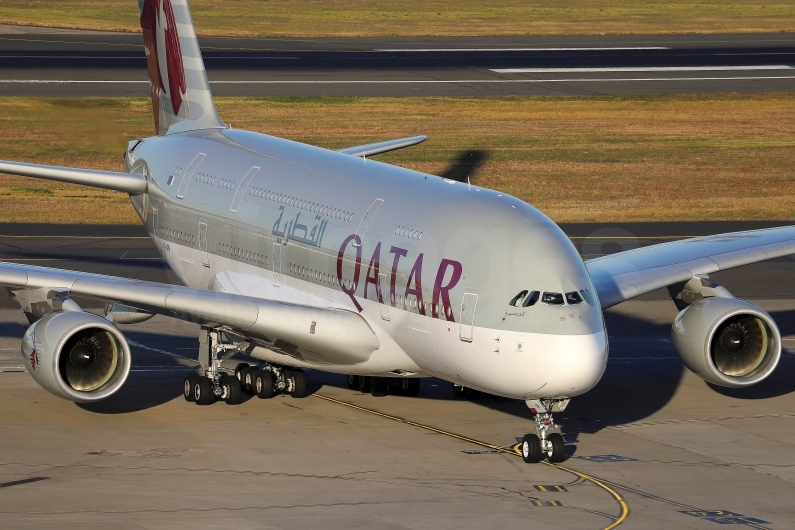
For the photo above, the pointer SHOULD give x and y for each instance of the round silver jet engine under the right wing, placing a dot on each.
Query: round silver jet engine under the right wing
(727, 341)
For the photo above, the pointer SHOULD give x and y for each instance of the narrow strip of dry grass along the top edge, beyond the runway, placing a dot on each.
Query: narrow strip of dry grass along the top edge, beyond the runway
(339, 18)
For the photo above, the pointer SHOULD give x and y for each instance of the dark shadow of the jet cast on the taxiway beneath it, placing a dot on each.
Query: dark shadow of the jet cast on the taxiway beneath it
(640, 379)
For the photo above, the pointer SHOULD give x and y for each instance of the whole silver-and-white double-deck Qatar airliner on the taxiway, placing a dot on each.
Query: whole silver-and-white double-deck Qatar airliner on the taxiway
(302, 257)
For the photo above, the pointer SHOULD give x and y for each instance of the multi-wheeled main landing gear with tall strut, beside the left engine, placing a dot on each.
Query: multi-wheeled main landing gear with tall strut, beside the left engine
(216, 385)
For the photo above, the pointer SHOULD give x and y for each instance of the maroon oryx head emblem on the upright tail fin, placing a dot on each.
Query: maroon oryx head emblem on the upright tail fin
(163, 56)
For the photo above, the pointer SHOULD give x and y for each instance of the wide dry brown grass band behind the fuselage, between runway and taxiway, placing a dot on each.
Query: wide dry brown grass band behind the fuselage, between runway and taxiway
(577, 159)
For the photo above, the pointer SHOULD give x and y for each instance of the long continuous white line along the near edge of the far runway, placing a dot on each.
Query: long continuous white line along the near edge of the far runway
(404, 81)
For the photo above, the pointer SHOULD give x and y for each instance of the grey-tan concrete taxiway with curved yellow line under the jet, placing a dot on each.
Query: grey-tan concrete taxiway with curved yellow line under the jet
(651, 446)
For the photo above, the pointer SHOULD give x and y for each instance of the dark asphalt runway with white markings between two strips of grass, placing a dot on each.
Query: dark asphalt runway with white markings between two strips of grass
(40, 62)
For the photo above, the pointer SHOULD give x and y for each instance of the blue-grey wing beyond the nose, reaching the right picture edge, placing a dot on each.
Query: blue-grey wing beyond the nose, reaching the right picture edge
(625, 275)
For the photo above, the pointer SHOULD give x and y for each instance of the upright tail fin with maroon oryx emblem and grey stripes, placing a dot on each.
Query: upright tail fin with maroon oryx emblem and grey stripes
(181, 97)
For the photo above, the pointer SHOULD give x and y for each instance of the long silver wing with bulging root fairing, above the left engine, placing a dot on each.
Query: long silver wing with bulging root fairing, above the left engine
(336, 335)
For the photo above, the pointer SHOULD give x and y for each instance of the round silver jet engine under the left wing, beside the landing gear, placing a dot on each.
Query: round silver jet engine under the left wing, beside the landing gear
(76, 355)
